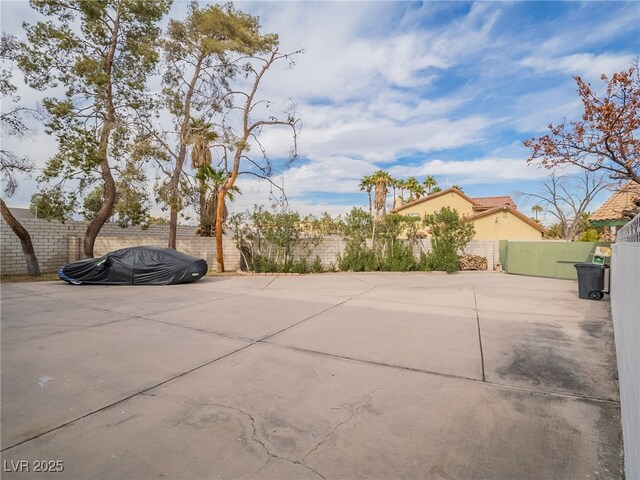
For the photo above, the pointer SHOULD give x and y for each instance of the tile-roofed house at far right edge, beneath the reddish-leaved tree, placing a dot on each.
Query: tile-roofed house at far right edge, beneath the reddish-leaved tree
(618, 209)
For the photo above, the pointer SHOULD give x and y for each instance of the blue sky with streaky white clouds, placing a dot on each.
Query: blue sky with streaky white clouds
(448, 89)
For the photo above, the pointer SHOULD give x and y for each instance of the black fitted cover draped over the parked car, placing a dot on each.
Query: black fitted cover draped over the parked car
(136, 266)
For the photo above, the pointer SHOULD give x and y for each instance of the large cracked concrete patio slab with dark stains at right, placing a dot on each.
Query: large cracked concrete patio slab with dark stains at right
(335, 376)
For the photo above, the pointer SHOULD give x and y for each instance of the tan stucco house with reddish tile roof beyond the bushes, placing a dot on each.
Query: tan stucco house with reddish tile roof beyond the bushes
(494, 218)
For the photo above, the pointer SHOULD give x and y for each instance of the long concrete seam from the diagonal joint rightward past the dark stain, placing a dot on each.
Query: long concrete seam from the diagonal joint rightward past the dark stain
(440, 374)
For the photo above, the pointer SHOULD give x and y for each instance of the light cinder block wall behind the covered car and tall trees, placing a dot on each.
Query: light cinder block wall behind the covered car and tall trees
(57, 243)
